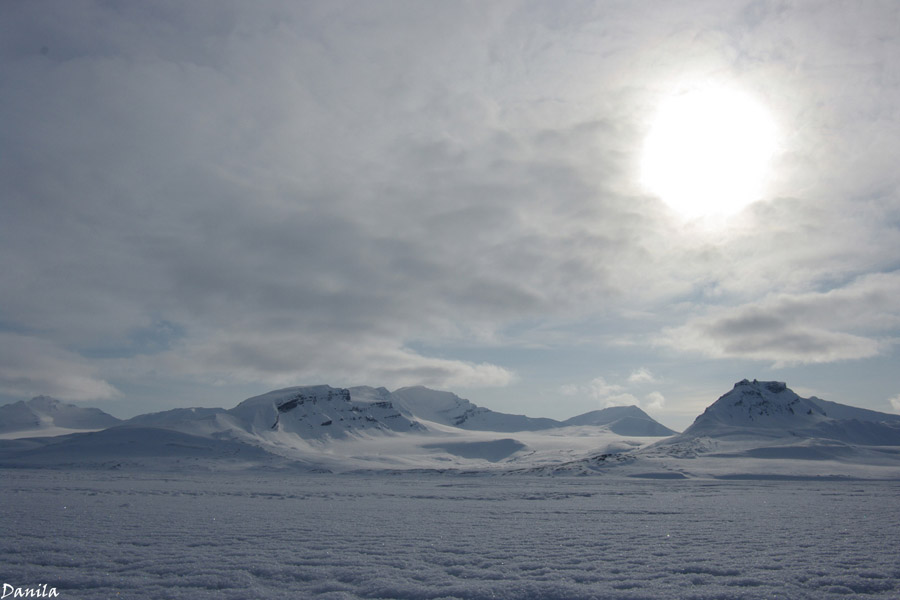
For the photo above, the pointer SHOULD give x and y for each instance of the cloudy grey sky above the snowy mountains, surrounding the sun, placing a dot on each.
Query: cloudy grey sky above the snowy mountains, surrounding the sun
(204, 201)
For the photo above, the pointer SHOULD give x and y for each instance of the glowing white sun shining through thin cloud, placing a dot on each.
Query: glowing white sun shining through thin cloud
(708, 151)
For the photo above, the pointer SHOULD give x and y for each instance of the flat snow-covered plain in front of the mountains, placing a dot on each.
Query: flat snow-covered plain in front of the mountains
(257, 534)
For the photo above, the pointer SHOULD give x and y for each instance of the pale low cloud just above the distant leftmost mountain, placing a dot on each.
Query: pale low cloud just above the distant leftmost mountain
(30, 367)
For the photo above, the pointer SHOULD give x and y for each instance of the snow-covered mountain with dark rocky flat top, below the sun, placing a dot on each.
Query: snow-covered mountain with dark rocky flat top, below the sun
(762, 429)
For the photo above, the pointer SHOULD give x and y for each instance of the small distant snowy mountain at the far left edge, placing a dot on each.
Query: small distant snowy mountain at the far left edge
(43, 415)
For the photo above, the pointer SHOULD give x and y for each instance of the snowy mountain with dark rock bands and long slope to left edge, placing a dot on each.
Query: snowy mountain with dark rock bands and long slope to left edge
(292, 427)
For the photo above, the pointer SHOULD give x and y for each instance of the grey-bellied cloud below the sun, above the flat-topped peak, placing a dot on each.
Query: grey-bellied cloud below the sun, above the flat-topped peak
(850, 322)
